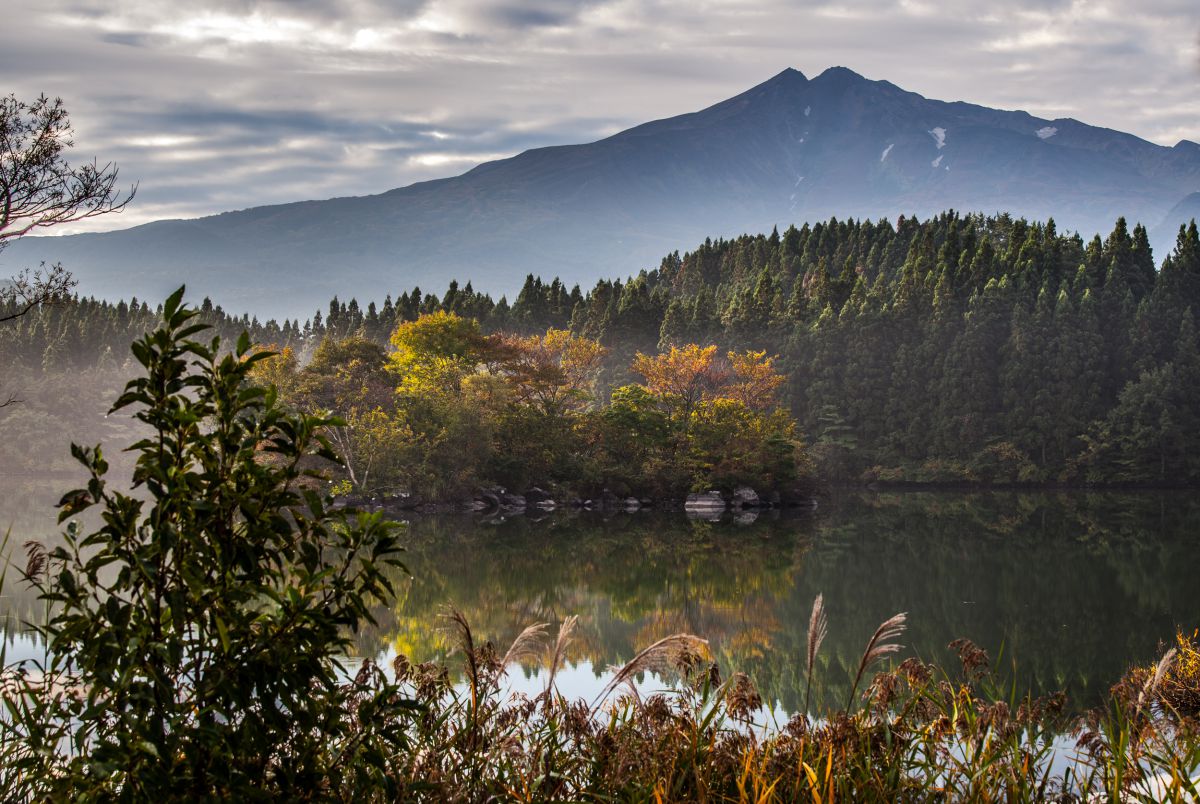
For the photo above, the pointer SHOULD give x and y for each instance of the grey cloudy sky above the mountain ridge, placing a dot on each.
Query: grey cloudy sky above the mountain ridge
(219, 105)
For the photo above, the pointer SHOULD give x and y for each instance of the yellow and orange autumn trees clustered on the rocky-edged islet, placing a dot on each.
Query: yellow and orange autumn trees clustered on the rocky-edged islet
(451, 411)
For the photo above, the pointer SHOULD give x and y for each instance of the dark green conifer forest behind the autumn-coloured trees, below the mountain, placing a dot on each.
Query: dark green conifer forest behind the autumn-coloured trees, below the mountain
(961, 349)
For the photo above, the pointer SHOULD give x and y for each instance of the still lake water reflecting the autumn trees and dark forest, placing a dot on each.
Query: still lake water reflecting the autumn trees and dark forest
(1065, 591)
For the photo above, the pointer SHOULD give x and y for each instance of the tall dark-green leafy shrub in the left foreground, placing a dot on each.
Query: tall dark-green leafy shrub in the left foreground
(194, 639)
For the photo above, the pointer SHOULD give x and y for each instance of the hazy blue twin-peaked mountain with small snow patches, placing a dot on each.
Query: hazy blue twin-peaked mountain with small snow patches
(785, 152)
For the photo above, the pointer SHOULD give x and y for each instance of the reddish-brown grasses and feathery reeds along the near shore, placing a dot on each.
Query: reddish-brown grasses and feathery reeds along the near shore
(916, 734)
